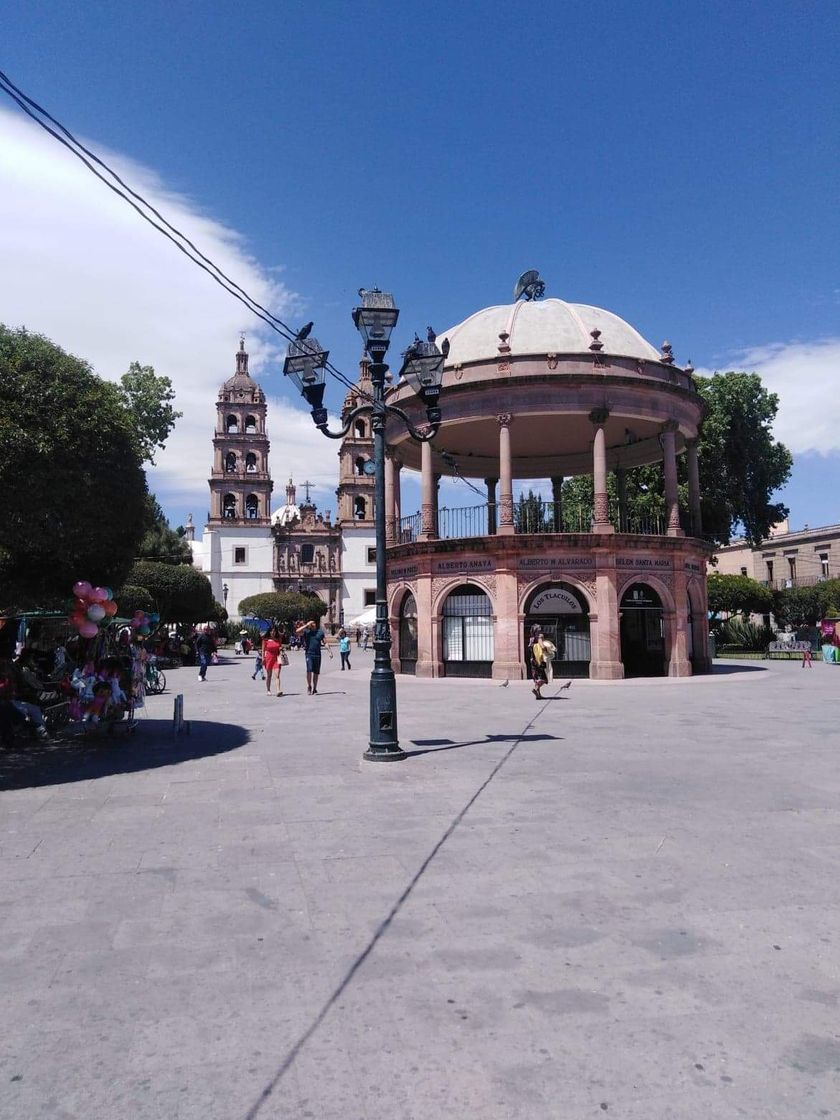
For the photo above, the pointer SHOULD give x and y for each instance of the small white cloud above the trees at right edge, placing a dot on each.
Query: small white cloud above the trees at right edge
(806, 376)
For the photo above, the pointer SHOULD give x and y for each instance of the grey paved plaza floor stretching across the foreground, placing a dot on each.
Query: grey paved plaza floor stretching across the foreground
(623, 901)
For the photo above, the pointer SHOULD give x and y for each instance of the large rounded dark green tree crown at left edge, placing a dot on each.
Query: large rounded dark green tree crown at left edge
(71, 478)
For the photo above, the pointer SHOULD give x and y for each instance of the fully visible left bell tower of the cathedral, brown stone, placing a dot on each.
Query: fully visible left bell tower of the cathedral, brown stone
(240, 482)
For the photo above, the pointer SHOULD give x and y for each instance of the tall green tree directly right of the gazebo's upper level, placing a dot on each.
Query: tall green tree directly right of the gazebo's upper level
(742, 465)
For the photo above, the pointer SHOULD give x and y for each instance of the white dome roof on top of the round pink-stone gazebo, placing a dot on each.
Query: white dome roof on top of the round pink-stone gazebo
(544, 326)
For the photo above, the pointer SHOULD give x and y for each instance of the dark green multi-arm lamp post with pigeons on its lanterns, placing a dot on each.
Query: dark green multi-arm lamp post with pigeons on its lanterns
(424, 370)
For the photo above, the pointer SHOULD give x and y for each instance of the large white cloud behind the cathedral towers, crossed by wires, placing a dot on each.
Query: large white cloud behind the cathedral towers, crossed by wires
(81, 267)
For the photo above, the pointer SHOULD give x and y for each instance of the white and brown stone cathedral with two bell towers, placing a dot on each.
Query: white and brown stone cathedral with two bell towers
(247, 549)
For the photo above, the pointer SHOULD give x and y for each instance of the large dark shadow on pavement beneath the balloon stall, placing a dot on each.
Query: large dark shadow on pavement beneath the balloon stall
(153, 745)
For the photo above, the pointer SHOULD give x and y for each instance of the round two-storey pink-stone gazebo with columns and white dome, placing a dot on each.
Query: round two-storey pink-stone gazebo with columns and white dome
(547, 390)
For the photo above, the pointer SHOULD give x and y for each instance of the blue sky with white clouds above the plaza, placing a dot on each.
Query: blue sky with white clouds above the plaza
(678, 165)
